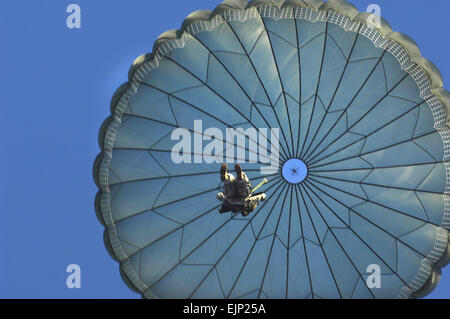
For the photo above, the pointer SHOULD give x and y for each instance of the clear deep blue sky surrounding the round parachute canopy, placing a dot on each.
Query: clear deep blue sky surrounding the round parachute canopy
(56, 84)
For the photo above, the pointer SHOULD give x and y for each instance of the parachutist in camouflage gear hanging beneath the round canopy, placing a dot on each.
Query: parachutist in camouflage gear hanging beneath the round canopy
(238, 195)
